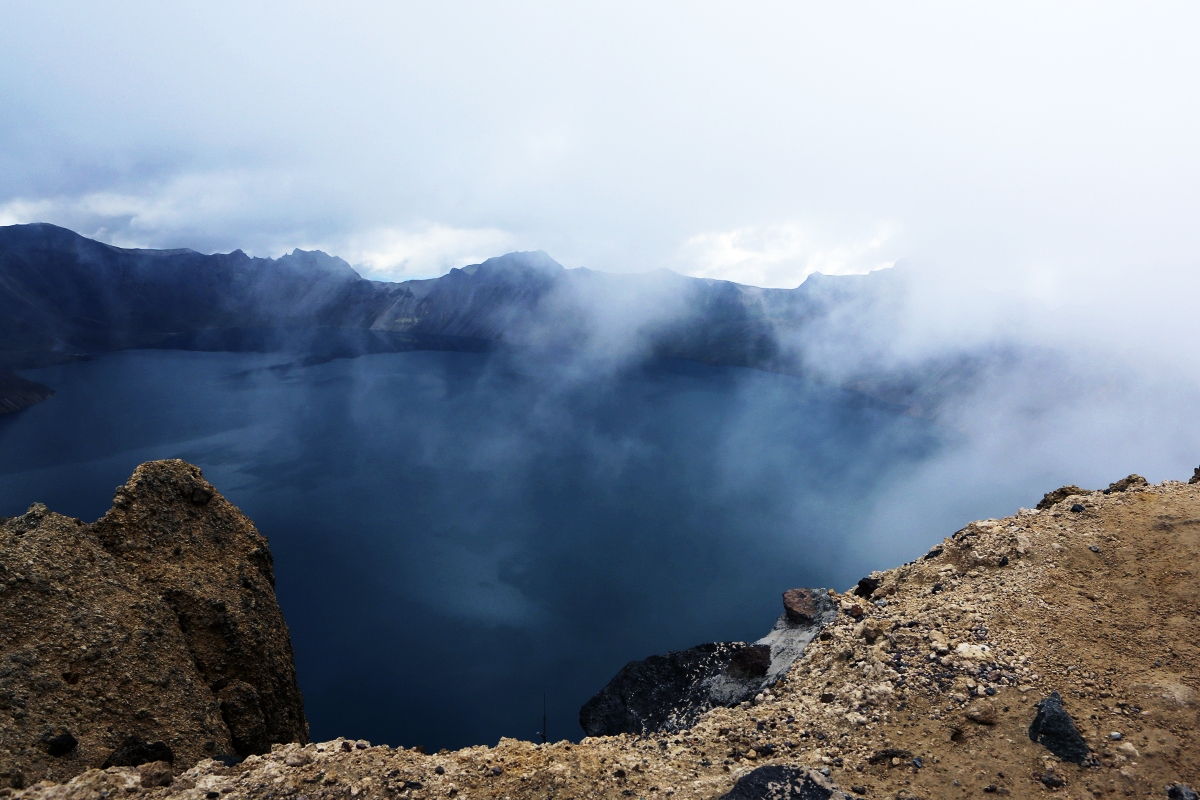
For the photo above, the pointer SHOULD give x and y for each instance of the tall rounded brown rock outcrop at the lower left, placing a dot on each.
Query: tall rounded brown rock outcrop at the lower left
(151, 635)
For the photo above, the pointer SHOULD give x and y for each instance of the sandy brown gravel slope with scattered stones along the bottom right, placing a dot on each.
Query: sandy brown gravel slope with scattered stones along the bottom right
(926, 687)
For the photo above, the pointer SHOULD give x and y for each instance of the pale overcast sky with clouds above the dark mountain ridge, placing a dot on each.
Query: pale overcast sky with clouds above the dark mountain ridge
(1043, 147)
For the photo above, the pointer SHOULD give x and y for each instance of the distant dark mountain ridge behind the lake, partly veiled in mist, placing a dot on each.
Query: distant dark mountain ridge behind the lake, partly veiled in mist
(64, 297)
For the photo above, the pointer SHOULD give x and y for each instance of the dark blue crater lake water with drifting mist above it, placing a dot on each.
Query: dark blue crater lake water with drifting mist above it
(458, 534)
